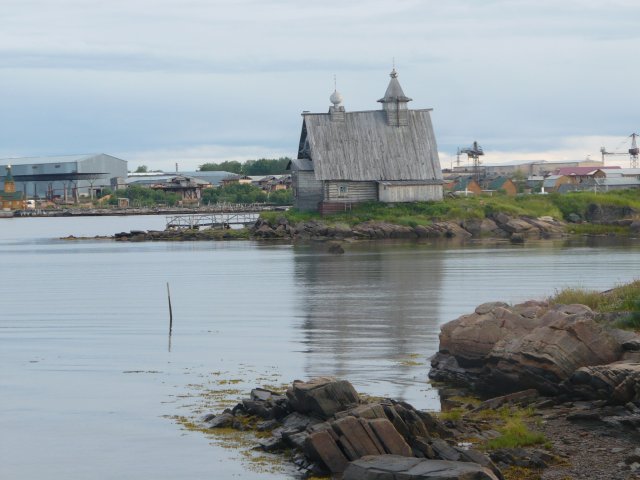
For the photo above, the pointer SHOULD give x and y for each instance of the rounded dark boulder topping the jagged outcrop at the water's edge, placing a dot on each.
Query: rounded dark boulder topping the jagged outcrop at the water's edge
(322, 396)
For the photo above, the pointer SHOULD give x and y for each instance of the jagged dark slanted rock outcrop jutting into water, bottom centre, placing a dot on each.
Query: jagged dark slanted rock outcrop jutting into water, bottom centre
(329, 426)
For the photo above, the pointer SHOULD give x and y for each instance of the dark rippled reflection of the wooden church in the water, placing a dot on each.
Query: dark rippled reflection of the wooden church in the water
(369, 315)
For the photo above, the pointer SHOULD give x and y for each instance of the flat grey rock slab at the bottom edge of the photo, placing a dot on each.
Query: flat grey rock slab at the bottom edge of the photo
(394, 467)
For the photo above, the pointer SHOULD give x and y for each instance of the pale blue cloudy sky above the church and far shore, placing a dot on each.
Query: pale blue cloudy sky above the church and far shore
(159, 82)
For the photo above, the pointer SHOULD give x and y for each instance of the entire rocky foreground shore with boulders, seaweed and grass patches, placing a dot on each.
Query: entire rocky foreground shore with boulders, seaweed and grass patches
(557, 397)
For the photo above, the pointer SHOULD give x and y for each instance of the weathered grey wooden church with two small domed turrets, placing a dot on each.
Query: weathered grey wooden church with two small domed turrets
(388, 155)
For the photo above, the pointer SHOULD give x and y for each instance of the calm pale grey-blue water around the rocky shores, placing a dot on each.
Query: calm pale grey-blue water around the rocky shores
(87, 380)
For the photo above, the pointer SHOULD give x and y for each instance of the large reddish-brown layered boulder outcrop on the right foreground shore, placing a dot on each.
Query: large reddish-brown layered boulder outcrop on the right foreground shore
(552, 349)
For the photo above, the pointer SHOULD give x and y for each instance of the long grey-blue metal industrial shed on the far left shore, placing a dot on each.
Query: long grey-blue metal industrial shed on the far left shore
(65, 177)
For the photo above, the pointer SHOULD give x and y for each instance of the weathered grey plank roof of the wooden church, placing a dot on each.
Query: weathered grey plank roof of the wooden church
(364, 147)
